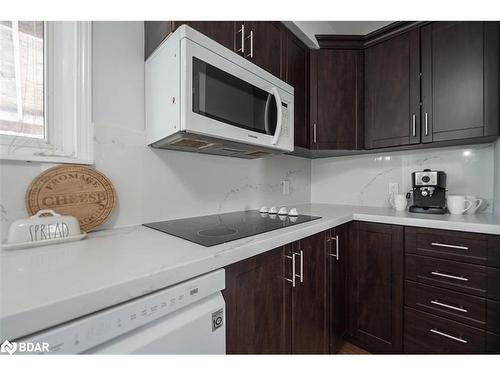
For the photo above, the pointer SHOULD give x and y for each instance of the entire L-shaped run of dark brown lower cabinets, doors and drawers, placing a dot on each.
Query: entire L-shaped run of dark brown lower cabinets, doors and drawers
(347, 282)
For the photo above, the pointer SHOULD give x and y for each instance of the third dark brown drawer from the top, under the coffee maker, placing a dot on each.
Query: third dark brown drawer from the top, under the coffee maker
(461, 307)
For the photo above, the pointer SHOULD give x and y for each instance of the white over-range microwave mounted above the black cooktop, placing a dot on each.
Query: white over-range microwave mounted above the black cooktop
(203, 97)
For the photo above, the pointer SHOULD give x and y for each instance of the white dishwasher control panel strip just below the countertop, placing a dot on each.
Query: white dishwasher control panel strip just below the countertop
(84, 333)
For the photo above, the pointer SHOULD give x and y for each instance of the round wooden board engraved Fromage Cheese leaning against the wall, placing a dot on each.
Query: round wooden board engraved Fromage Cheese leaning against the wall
(74, 190)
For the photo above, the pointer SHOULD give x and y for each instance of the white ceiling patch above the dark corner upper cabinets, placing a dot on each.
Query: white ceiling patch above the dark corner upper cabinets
(306, 30)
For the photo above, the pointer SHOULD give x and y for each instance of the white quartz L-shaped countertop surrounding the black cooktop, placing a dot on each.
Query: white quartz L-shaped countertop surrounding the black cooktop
(45, 286)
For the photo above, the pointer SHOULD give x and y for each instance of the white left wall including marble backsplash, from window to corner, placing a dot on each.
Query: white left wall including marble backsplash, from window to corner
(155, 184)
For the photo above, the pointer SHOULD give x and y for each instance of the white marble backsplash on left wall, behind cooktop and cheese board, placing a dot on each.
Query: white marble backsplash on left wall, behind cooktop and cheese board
(153, 185)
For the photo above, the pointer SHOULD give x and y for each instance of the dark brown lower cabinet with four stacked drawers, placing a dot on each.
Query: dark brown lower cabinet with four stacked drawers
(451, 297)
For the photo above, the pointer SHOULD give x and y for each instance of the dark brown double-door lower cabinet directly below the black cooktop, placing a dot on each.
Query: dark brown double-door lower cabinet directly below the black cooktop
(267, 313)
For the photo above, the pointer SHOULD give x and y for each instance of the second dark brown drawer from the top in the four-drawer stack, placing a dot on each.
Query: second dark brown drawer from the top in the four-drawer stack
(462, 277)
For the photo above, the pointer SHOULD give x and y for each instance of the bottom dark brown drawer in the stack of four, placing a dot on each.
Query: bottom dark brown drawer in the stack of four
(427, 333)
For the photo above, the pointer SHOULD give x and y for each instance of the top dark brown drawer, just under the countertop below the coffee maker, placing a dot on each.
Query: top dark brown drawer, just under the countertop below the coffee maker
(453, 245)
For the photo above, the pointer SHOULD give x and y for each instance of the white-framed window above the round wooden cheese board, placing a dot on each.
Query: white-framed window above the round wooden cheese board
(45, 88)
